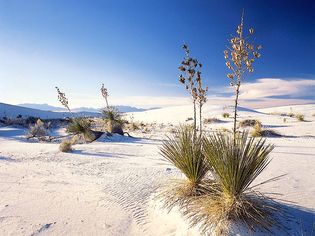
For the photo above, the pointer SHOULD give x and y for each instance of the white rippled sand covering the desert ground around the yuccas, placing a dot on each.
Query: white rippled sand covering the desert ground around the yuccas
(106, 187)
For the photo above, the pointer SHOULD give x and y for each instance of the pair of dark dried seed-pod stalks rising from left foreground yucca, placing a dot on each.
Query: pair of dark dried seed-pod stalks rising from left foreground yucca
(191, 78)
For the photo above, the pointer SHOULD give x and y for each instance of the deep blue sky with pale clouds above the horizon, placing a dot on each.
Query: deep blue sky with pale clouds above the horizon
(134, 48)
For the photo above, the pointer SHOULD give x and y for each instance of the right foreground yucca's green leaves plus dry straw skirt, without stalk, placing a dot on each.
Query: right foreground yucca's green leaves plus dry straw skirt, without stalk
(235, 164)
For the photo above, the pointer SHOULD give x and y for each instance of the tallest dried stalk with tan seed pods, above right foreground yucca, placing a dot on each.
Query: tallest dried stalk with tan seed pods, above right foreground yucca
(240, 56)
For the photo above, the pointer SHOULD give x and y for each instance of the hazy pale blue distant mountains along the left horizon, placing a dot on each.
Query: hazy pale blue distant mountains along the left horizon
(47, 107)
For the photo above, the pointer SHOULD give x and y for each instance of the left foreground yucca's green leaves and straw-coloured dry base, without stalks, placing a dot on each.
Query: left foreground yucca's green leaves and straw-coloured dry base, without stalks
(184, 152)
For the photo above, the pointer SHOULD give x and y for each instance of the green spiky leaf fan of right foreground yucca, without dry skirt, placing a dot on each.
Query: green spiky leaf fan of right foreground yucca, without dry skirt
(236, 166)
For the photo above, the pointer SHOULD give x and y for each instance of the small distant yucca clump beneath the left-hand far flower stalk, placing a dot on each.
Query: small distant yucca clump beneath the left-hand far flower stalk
(81, 126)
